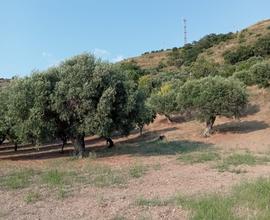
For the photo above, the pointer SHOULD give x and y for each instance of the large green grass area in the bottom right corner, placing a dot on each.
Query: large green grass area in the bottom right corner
(248, 200)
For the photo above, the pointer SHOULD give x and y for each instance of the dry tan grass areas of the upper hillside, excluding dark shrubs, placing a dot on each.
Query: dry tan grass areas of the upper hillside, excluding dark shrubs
(244, 37)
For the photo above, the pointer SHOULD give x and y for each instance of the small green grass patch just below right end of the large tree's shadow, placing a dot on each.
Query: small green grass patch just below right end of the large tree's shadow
(199, 157)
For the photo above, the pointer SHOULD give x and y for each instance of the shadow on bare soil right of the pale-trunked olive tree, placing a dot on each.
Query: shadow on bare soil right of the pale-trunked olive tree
(241, 127)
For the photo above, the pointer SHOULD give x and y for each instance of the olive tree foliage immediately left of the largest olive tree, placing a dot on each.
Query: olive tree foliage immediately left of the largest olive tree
(28, 108)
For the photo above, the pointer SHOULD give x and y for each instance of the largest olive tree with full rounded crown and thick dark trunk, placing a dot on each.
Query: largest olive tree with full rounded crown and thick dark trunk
(94, 98)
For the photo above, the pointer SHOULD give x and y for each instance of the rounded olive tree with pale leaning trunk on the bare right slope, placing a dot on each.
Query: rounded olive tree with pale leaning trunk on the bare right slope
(210, 97)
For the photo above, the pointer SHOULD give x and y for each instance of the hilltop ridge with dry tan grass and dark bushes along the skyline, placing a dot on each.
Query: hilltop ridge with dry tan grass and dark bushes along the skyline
(162, 59)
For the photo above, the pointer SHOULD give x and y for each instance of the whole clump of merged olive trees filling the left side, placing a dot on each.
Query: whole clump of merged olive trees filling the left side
(82, 96)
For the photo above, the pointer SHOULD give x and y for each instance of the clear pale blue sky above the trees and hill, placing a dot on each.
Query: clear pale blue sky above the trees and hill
(37, 34)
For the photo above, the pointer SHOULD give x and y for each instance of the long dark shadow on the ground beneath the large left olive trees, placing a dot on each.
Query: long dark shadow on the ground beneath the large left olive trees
(146, 145)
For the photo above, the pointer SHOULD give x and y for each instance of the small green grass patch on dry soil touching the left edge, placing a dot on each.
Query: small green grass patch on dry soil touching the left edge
(17, 180)
